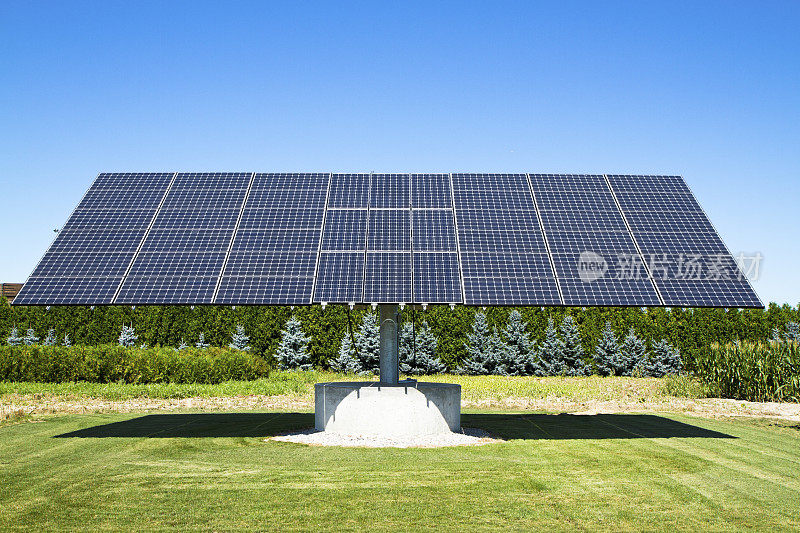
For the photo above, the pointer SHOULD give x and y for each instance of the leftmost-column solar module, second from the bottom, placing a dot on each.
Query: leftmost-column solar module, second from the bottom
(77, 264)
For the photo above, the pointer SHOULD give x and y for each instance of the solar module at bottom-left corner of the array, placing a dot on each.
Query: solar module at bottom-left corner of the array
(68, 291)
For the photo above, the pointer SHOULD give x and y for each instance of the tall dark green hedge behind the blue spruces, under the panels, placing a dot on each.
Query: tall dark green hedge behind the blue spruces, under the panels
(689, 330)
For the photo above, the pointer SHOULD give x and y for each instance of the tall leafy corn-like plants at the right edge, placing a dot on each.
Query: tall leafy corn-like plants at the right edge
(756, 371)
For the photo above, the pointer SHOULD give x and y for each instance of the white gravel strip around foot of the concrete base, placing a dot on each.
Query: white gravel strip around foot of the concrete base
(467, 437)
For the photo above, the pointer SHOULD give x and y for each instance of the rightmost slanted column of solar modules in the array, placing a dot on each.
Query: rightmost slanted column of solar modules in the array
(690, 264)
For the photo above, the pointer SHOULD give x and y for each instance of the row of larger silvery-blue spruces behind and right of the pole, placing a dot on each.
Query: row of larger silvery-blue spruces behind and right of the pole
(508, 352)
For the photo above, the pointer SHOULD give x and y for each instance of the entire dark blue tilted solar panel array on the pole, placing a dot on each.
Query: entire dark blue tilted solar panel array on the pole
(475, 239)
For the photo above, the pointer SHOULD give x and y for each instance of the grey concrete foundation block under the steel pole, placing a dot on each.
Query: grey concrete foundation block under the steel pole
(380, 409)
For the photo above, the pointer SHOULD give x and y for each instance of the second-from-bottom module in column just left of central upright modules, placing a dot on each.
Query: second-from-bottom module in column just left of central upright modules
(271, 264)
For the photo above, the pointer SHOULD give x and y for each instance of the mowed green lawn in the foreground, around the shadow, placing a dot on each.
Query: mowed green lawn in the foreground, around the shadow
(554, 472)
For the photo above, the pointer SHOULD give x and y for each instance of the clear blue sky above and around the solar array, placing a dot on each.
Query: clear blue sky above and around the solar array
(710, 91)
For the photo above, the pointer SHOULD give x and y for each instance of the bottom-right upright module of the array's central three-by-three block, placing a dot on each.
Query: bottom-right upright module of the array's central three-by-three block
(436, 278)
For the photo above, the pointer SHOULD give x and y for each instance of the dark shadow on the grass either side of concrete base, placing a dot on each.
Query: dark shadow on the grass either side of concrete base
(505, 426)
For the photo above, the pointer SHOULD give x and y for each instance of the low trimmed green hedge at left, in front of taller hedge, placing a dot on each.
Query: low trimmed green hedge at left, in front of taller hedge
(112, 364)
